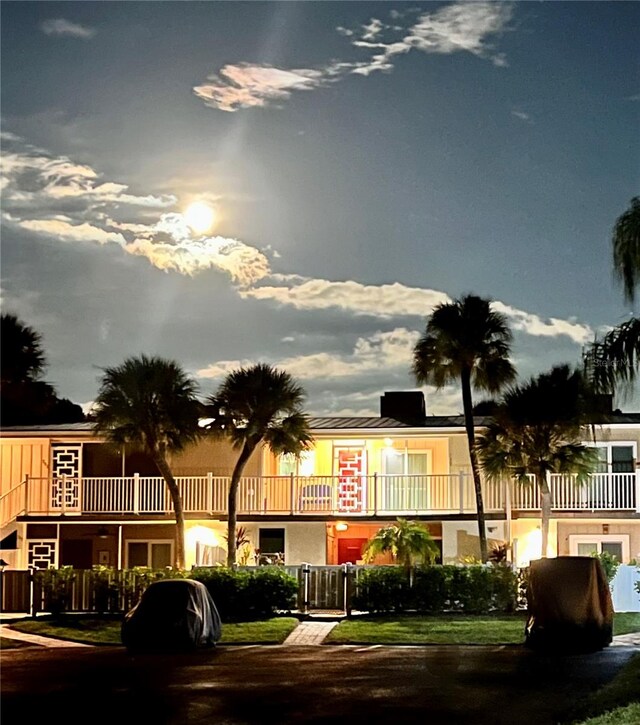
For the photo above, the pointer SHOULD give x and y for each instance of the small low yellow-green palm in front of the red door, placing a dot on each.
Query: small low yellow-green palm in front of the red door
(408, 542)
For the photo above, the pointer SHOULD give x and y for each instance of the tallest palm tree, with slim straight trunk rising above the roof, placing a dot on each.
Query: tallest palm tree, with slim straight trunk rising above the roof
(466, 340)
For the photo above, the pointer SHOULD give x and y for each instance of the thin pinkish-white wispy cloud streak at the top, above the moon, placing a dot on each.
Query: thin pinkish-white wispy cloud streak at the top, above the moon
(458, 27)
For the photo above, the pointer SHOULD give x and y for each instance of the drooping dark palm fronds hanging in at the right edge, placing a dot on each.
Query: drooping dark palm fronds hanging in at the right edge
(614, 360)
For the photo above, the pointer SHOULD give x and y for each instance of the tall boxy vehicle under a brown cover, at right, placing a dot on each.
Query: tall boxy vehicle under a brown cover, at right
(569, 605)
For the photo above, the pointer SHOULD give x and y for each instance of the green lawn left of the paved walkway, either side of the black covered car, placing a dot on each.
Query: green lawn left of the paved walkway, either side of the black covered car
(95, 630)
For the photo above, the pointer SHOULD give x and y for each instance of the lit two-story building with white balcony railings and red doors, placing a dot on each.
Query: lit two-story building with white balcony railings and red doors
(67, 497)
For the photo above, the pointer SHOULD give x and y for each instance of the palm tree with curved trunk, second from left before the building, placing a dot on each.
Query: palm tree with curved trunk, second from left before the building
(254, 405)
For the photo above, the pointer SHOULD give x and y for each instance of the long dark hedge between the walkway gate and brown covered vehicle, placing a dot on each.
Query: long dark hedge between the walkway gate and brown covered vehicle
(432, 589)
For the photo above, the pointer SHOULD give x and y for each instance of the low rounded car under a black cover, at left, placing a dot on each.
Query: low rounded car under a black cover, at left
(172, 614)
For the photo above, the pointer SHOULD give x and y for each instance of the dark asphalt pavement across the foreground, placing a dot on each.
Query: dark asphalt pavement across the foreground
(396, 685)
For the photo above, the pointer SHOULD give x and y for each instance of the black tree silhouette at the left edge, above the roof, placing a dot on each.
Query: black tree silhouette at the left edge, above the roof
(26, 399)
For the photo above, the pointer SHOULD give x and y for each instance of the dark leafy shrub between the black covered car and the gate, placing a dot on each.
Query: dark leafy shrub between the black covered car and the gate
(248, 594)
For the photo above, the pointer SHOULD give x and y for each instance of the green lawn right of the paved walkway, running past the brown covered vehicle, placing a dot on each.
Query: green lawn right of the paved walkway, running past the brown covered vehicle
(448, 629)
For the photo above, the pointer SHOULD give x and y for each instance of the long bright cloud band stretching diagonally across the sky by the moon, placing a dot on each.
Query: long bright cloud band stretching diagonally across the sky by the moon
(63, 199)
